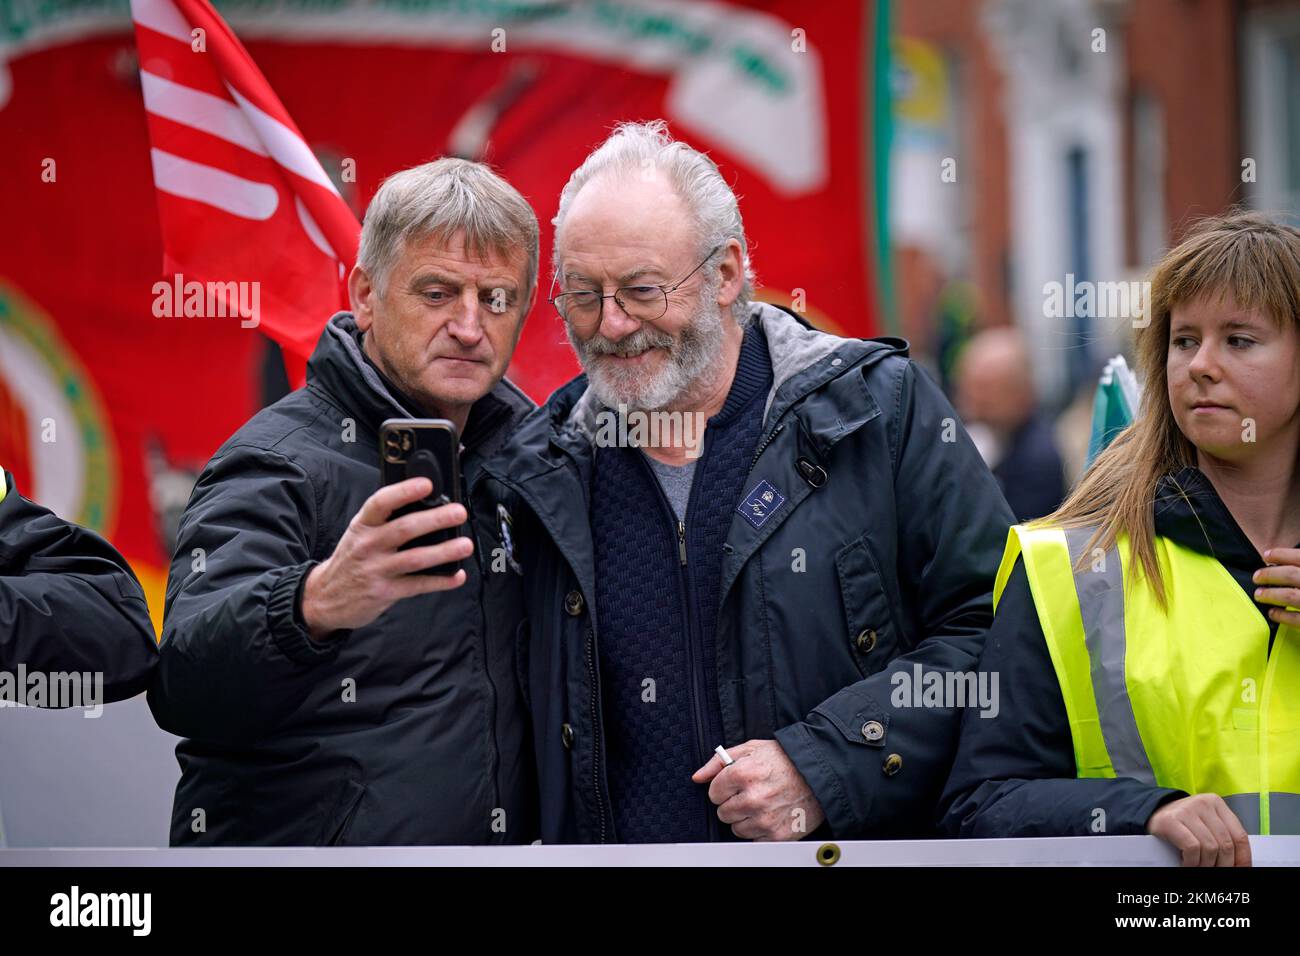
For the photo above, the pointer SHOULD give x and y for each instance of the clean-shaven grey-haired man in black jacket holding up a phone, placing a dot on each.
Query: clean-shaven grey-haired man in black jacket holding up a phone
(328, 693)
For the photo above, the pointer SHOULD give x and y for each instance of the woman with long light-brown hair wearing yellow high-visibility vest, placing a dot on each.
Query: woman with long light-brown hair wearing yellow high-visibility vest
(1146, 641)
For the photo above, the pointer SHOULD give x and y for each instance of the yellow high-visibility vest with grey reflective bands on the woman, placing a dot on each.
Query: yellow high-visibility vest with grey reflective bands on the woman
(1189, 698)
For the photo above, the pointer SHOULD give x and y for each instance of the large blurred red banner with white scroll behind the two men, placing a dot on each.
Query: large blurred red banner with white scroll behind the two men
(142, 403)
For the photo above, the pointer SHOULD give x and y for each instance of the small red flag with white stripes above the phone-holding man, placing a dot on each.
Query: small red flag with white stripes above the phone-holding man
(253, 227)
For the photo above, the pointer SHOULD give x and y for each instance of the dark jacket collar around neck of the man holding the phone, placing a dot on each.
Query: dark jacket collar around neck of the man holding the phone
(341, 371)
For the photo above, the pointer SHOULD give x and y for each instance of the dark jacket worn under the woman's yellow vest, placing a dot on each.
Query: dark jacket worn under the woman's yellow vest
(1015, 775)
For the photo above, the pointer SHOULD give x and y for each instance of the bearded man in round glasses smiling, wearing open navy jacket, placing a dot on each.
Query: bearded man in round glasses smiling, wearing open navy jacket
(722, 629)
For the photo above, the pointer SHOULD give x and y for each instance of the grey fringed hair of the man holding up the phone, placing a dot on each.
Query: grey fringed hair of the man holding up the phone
(443, 198)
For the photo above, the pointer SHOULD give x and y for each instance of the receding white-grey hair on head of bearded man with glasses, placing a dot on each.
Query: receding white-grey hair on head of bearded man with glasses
(638, 146)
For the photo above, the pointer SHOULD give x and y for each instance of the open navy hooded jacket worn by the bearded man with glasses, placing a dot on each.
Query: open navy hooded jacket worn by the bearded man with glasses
(881, 557)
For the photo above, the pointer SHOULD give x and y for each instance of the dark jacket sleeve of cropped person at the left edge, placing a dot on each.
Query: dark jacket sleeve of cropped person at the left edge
(70, 602)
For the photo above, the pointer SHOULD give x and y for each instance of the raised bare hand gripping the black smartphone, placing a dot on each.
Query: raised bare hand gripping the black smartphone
(369, 573)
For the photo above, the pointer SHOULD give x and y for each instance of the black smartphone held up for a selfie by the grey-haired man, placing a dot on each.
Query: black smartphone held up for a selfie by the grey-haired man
(423, 448)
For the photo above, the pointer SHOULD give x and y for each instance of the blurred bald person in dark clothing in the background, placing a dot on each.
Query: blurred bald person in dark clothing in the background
(998, 401)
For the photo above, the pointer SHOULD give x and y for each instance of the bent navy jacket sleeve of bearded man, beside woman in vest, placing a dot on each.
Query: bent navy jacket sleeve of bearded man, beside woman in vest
(952, 524)
